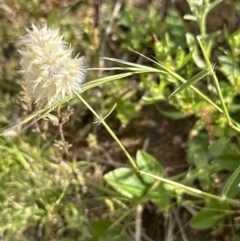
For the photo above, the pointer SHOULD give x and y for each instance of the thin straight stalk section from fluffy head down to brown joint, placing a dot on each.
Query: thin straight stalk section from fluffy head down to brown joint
(102, 121)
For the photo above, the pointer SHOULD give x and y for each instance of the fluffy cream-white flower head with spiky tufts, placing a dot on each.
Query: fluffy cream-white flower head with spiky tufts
(48, 67)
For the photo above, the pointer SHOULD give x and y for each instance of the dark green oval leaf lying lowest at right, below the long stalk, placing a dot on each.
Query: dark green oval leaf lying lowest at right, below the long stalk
(206, 219)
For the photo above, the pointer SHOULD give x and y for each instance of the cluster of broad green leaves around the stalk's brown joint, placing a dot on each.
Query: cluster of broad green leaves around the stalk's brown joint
(140, 188)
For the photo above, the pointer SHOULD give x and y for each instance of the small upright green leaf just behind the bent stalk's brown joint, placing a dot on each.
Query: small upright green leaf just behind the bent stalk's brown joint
(148, 163)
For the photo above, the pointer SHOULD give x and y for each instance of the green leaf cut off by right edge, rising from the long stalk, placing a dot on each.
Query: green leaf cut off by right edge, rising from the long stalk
(231, 188)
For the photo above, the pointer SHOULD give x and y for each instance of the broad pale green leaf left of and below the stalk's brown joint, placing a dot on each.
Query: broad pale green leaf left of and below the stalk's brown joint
(127, 182)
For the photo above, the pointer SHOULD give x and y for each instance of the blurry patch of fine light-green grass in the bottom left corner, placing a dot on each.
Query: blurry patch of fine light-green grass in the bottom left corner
(35, 194)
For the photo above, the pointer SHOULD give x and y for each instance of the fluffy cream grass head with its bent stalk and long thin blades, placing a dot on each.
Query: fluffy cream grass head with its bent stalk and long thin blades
(47, 71)
